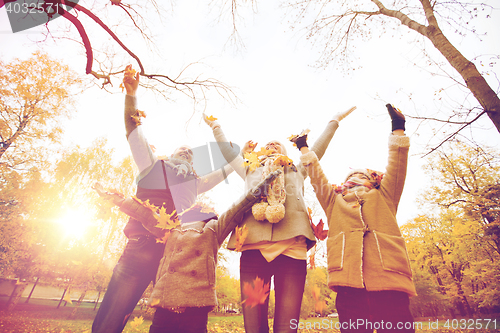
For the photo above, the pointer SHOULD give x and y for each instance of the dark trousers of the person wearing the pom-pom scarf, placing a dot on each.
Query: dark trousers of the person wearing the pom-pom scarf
(289, 279)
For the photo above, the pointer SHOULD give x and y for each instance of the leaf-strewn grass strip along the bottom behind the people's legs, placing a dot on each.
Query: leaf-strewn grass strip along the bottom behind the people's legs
(42, 316)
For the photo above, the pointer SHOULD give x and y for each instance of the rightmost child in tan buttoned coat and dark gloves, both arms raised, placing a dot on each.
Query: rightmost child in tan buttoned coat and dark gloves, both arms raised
(368, 264)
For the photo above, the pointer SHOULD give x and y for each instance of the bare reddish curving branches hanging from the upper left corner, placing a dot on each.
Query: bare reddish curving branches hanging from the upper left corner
(128, 18)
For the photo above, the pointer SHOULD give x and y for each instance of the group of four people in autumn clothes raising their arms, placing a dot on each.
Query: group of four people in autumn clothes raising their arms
(368, 266)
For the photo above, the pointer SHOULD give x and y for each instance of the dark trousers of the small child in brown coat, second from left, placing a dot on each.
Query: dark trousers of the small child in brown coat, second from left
(193, 320)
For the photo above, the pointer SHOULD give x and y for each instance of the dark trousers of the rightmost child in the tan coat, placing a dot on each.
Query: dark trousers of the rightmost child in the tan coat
(363, 311)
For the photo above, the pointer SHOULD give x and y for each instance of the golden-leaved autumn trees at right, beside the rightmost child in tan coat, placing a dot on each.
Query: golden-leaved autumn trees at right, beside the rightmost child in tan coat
(453, 245)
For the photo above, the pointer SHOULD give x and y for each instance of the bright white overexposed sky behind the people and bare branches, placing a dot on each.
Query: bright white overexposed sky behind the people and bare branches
(280, 91)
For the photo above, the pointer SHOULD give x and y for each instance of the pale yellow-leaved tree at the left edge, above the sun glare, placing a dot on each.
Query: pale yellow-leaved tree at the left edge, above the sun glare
(35, 95)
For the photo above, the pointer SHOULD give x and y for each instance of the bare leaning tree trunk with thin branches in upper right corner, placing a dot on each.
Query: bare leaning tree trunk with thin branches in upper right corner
(335, 27)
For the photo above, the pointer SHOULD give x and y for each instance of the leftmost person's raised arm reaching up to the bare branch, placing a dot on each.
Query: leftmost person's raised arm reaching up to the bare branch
(139, 146)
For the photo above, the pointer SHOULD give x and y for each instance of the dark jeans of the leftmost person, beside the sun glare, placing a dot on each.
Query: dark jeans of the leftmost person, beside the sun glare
(131, 276)
